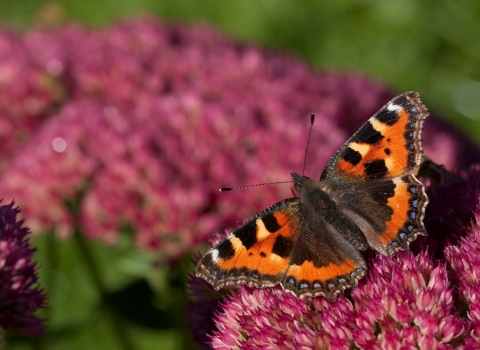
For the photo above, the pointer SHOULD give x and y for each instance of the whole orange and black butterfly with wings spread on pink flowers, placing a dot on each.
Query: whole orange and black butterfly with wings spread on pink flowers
(367, 198)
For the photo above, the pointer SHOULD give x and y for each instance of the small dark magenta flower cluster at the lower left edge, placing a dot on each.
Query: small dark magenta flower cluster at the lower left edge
(20, 296)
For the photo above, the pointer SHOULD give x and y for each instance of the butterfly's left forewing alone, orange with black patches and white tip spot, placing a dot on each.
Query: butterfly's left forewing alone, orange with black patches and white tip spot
(258, 253)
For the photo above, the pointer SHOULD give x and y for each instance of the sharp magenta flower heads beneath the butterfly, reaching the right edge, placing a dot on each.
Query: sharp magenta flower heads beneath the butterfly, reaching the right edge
(427, 298)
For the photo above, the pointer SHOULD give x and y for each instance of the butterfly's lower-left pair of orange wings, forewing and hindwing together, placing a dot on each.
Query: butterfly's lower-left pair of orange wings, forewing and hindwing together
(276, 247)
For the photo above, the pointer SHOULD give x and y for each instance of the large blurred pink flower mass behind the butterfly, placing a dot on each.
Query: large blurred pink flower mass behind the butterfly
(139, 125)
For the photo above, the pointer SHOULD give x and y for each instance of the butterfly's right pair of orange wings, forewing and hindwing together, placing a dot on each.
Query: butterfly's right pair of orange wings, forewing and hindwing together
(371, 176)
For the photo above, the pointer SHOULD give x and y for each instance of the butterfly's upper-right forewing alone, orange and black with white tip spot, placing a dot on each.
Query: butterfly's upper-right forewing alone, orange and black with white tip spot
(388, 145)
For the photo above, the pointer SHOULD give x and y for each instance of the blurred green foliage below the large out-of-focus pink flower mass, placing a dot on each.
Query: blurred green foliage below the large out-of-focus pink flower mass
(137, 305)
